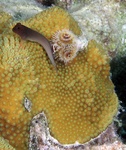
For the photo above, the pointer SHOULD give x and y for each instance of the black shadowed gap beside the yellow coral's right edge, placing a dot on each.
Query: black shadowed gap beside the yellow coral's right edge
(118, 70)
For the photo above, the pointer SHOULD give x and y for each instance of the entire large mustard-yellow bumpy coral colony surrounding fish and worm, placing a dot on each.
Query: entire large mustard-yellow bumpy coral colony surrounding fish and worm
(78, 99)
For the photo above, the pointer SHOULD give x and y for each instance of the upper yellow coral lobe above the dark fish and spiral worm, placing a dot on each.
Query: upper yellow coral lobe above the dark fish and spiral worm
(52, 20)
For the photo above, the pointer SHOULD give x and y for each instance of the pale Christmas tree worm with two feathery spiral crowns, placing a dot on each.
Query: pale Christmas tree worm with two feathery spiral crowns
(65, 45)
